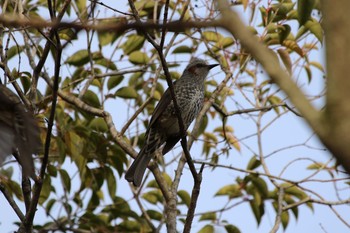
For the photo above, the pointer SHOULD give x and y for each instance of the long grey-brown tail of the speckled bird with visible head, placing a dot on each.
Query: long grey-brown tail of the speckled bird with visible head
(138, 167)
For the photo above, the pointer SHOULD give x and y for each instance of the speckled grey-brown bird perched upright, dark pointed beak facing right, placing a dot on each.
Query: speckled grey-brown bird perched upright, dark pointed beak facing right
(163, 127)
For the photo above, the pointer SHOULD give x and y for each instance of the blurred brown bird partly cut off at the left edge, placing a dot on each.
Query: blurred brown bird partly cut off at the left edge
(19, 131)
